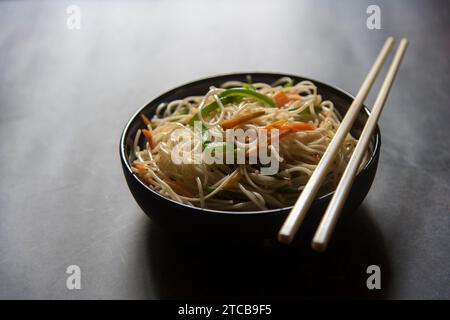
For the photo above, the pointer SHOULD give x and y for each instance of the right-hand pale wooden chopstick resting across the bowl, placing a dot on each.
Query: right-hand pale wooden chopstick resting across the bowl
(331, 216)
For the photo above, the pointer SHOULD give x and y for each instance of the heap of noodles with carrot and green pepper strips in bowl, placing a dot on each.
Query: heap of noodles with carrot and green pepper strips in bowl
(305, 122)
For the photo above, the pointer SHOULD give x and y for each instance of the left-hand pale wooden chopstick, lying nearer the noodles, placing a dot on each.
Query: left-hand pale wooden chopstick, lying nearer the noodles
(300, 209)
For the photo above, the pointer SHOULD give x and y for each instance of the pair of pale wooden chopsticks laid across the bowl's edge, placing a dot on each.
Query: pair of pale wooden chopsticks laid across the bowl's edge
(331, 216)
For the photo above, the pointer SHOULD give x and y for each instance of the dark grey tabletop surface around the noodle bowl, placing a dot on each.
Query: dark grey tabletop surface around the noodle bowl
(65, 96)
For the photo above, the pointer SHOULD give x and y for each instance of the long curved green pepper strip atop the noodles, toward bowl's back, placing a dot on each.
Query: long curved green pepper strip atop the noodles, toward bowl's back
(233, 95)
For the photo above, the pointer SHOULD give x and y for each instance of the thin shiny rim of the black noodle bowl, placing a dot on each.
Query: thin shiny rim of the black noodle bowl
(322, 198)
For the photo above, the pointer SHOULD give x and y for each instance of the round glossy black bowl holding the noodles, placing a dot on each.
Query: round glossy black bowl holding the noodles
(208, 224)
